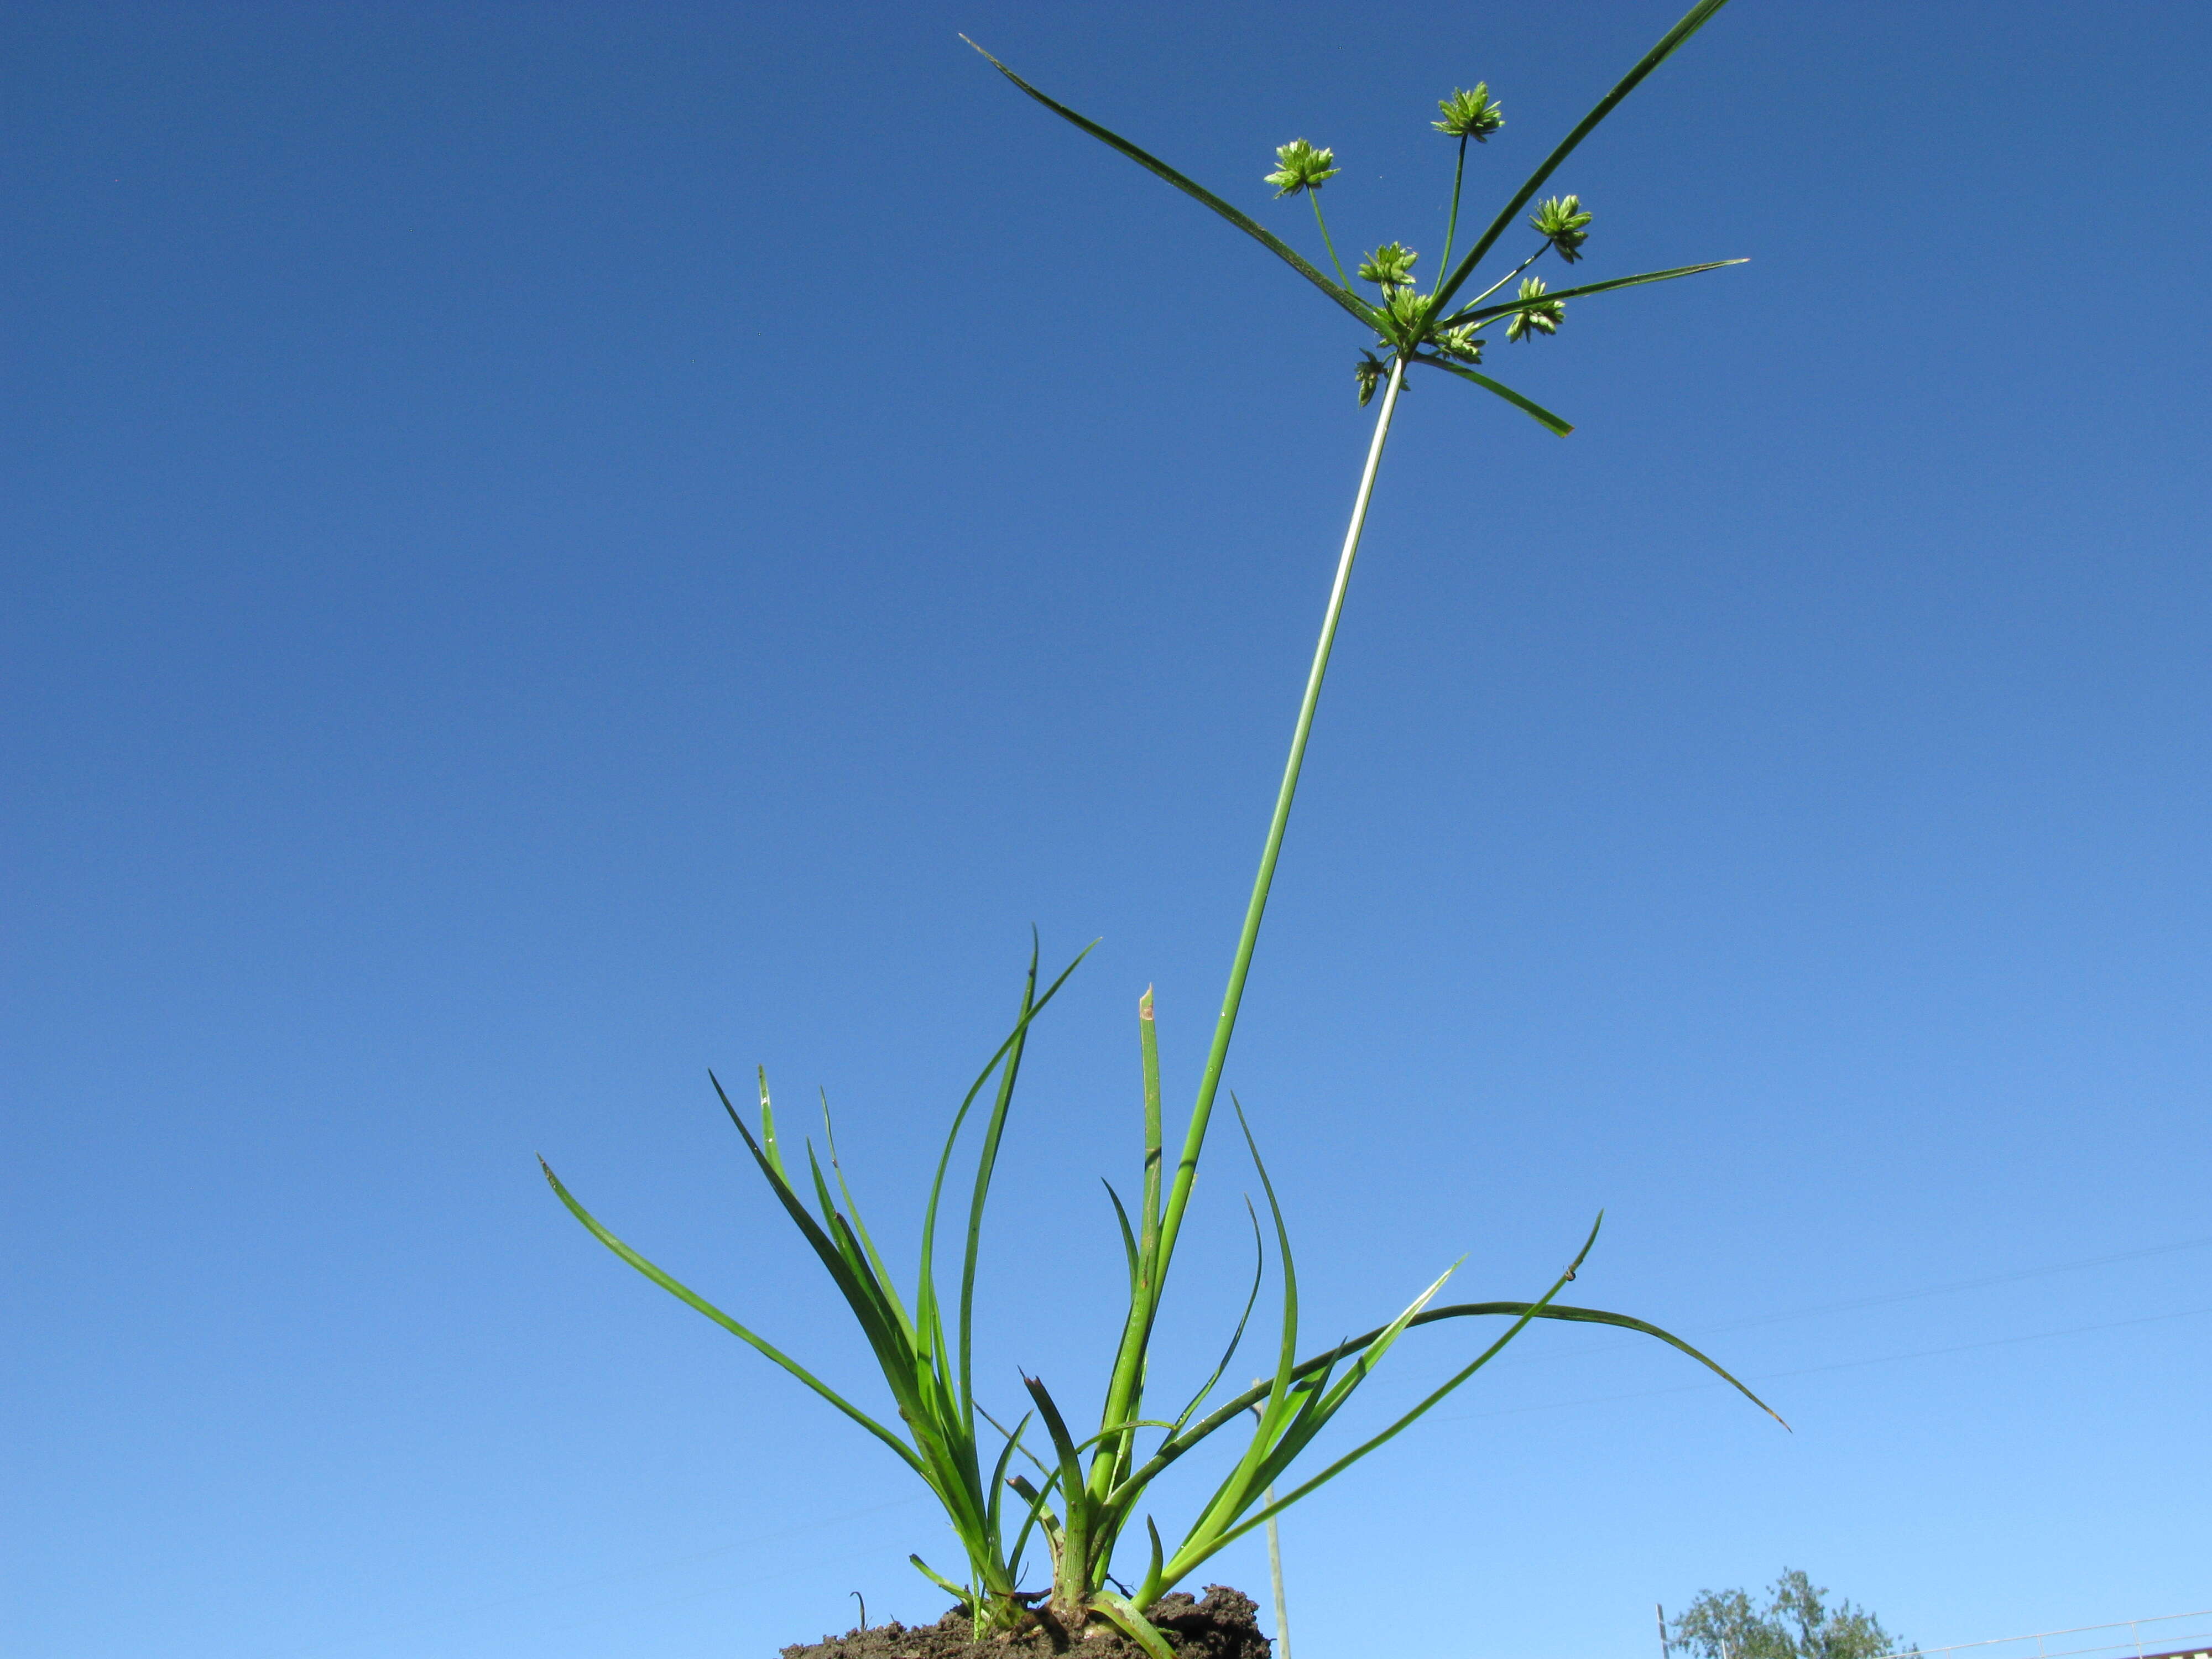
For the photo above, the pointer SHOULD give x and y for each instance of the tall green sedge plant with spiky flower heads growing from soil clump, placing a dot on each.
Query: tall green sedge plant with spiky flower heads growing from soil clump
(1041, 1488)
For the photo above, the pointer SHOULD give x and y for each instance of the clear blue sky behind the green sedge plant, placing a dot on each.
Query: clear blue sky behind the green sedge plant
(554, 547)
